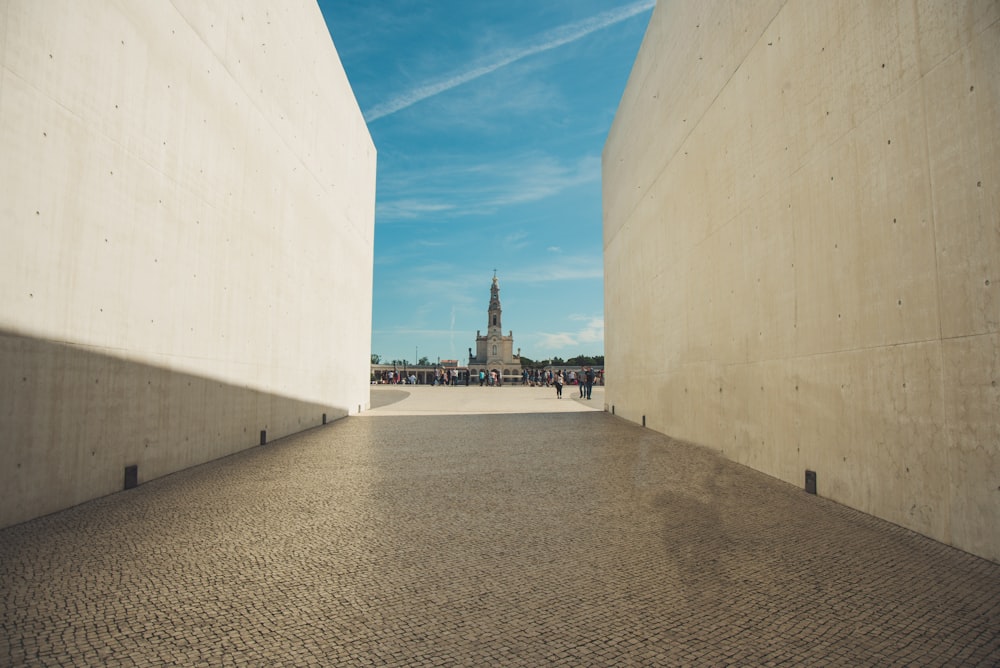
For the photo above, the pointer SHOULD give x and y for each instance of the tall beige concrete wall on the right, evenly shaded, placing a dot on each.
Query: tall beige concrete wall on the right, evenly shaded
(802, 249)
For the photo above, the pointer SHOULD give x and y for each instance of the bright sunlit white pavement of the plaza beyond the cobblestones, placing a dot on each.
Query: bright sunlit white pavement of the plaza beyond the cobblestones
(462, 400)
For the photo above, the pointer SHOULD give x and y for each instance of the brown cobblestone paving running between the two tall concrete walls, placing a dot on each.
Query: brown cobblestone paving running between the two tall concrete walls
(568, 538)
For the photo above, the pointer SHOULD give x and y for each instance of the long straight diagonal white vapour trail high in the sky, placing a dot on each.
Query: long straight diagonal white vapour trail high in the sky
(547, 41)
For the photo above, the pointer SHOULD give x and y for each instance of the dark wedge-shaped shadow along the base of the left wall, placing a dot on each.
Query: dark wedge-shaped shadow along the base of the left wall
(75, 422)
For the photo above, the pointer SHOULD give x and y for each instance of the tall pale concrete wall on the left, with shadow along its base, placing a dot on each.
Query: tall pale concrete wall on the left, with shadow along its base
(187, 208)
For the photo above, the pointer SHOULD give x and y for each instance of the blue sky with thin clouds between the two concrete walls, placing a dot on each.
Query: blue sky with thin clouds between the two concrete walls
(489, 118)
